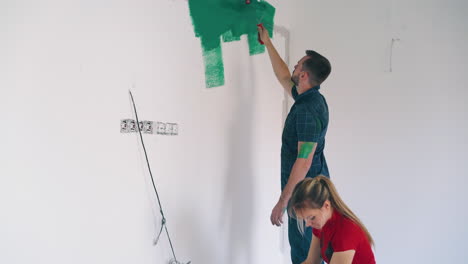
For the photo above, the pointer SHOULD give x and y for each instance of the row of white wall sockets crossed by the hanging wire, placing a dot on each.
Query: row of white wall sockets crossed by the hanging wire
(149, 127)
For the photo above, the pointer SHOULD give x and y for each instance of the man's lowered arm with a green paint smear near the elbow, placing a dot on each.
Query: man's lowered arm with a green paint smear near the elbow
(298, 173)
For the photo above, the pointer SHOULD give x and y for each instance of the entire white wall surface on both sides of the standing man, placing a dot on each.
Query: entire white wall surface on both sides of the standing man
(75, 190)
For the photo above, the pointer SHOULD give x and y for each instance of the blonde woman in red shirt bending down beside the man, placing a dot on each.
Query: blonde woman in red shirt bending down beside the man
(339, 237)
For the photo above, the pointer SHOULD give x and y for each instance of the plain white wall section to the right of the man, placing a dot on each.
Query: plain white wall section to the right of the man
(397, 141)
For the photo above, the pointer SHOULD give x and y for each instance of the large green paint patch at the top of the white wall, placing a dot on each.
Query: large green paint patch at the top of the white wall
(227, 20)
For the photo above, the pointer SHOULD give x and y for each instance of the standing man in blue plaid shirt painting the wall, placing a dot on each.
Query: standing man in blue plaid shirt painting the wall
(303, 139)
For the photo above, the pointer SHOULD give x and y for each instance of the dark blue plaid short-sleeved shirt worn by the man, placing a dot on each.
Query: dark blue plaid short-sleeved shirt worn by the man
(307, 121)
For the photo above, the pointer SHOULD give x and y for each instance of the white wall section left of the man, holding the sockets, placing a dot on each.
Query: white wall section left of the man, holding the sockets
(75, 190)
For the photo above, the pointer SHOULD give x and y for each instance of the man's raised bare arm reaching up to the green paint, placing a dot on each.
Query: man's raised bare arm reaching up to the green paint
(279, 66)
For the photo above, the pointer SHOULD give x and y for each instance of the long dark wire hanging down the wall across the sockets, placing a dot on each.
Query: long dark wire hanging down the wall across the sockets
(163, 220)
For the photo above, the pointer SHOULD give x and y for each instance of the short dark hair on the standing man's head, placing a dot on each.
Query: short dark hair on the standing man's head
(317, 66)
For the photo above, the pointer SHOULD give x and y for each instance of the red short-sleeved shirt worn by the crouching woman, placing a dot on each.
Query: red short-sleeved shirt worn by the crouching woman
(340, 234)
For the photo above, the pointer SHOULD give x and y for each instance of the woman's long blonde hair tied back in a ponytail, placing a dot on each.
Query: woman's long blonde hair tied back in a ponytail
(313, 192)
